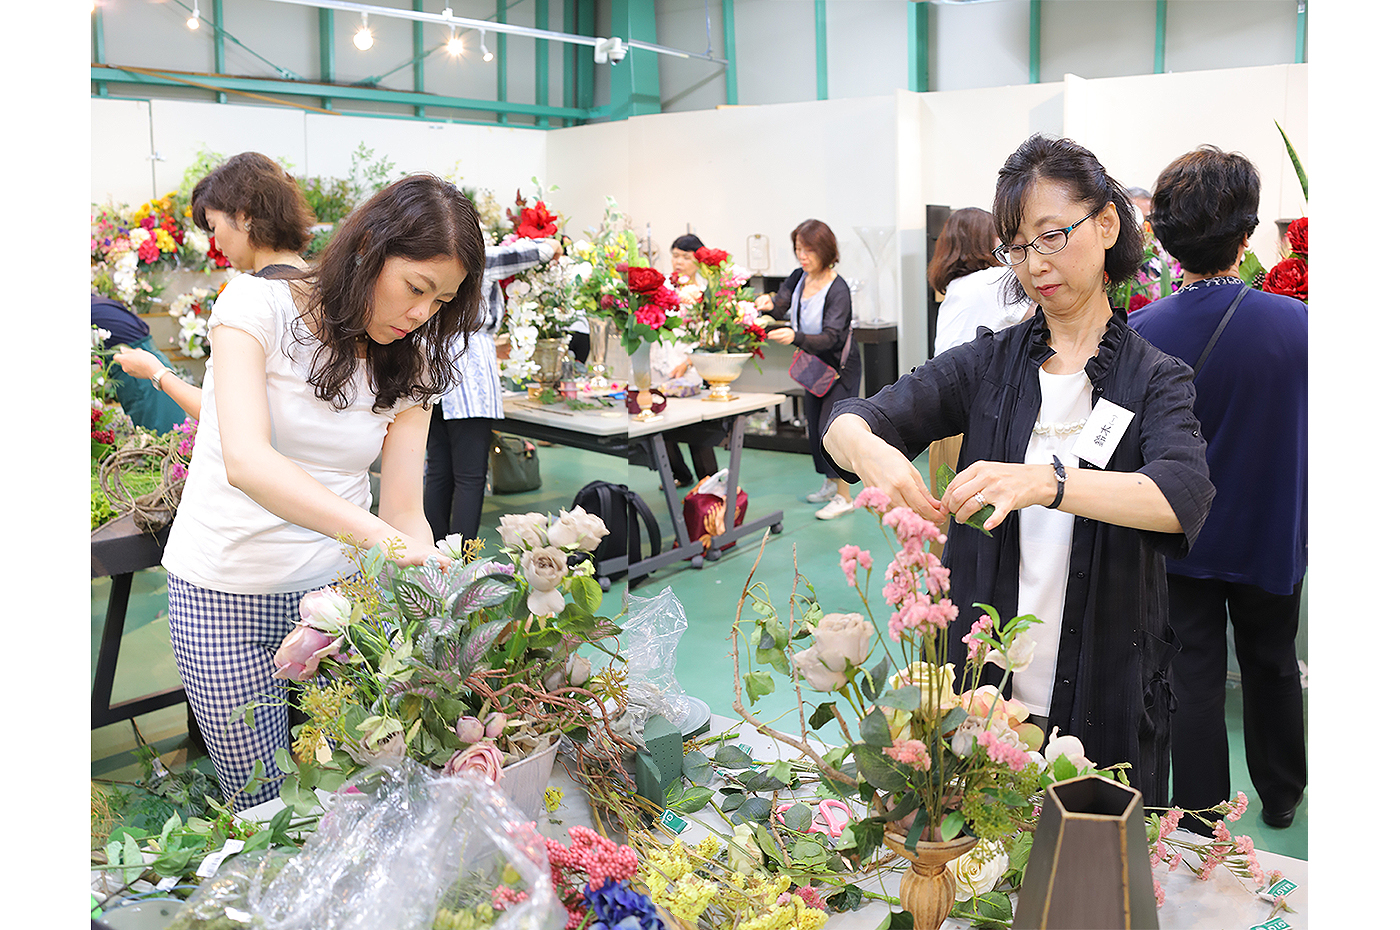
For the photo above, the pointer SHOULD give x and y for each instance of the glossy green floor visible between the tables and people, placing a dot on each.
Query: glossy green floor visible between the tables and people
(773, 481)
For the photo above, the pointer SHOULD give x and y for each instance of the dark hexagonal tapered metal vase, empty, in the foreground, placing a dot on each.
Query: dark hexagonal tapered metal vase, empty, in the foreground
(1090, 861)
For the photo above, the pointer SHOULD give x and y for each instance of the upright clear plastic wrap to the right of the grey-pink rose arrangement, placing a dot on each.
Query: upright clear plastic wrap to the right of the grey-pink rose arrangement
(653, 631)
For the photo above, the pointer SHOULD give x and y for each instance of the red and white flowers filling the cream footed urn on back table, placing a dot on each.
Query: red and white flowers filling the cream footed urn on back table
(720, 316)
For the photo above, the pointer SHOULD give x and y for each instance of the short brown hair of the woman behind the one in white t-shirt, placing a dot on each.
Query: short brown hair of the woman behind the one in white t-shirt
(253, 184)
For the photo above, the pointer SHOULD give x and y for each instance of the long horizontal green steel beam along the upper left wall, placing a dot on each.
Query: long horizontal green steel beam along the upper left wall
(338, 92)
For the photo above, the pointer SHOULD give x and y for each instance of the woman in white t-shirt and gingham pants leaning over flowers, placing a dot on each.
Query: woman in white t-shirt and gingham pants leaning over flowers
(313, 376)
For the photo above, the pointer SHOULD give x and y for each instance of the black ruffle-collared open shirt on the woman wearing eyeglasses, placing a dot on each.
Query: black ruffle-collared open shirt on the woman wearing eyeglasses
(1111, 687)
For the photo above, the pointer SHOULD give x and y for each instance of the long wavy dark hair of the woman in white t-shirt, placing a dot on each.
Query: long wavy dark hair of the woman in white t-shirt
(419, 218)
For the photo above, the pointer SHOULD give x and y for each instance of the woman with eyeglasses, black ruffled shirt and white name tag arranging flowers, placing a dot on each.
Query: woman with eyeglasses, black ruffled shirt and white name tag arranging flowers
(1079, 436)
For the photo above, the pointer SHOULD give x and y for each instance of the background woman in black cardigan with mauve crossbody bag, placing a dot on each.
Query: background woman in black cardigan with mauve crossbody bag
(822, 320)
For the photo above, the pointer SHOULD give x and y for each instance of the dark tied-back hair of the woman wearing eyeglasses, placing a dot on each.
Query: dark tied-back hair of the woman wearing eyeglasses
(1073, 166)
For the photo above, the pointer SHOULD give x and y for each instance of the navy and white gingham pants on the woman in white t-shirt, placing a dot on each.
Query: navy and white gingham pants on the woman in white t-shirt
(223, 648)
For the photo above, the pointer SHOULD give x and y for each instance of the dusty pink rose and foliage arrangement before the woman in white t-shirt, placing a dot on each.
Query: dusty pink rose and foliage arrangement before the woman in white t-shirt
(465, 669)
